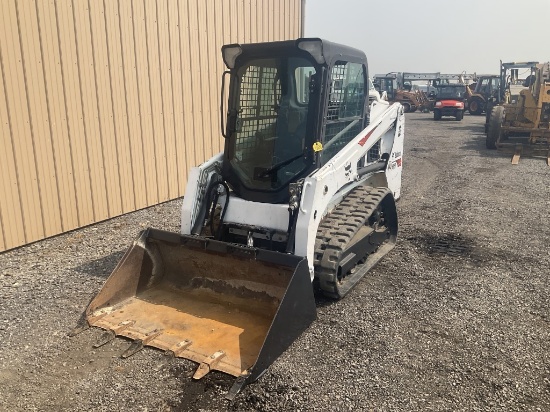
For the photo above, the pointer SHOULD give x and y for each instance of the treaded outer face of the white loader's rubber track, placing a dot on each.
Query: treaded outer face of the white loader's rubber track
(338, 228)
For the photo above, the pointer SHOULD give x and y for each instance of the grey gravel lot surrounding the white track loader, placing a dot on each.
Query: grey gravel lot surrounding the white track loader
(456, 317)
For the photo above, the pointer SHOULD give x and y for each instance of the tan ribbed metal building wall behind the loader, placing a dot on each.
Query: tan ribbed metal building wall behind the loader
(106, 104)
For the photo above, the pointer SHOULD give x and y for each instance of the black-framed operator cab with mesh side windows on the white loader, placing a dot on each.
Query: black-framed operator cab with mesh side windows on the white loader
(292, 106)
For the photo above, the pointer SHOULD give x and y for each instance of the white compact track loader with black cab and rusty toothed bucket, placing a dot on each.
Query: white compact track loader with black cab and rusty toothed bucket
(304, 193)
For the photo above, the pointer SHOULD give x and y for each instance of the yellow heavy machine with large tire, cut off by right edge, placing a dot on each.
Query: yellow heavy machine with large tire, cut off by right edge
(522, 121)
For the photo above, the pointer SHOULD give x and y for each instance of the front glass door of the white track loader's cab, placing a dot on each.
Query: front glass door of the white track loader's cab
(268, 148)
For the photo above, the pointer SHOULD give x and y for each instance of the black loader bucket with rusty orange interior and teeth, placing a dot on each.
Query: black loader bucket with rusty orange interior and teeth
(228, 307)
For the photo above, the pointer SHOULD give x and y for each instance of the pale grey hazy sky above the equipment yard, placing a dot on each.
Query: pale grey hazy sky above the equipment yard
(435, 35)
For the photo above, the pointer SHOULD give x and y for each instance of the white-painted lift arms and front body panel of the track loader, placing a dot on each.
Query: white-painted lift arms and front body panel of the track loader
(321, 190)
